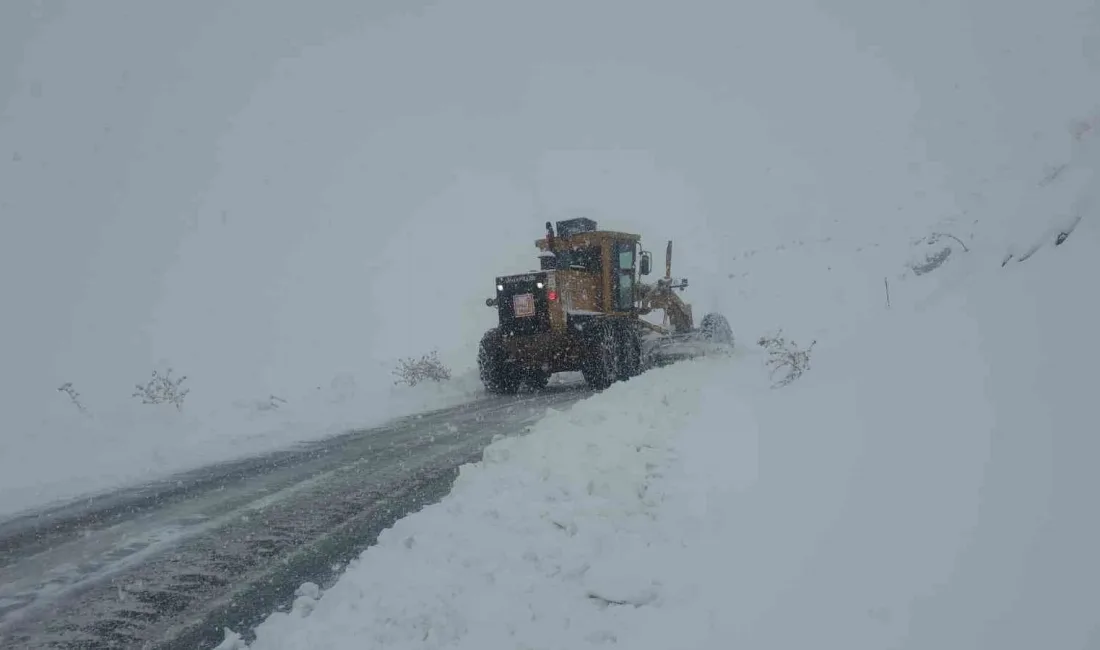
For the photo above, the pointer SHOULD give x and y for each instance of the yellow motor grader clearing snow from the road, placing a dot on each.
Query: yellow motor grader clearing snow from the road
(582, 311)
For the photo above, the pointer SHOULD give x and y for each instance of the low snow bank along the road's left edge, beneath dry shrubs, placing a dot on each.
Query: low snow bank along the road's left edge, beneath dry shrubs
(69, 455)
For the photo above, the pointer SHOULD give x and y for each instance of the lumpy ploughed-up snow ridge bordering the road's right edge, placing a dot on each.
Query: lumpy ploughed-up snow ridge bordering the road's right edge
(533, 543)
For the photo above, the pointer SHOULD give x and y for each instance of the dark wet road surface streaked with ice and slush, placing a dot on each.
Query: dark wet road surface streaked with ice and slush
(173, 564)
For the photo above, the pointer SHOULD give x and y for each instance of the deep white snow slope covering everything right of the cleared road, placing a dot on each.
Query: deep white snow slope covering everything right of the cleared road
(928, 483)
